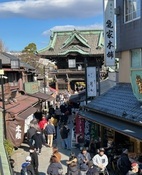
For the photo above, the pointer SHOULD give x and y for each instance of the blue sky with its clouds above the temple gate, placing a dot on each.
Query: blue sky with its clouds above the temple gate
(26, 21)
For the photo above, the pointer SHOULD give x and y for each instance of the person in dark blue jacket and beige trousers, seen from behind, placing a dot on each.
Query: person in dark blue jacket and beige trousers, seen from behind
(50, 132)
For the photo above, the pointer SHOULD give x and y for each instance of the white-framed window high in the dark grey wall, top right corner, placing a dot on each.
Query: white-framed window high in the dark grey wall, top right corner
(132, 10)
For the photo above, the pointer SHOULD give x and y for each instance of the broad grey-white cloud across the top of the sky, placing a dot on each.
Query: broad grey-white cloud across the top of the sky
(51, 8)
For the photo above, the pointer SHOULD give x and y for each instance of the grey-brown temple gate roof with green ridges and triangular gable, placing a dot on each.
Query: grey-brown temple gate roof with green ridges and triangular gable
(87, 40)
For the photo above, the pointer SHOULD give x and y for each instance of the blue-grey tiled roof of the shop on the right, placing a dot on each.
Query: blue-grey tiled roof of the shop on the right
(118, 102)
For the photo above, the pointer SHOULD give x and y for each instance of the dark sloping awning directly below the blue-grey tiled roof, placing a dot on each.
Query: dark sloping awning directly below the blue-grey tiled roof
(121, 126)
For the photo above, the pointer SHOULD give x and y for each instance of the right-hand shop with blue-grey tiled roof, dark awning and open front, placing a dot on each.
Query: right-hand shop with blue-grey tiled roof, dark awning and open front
(118, 116)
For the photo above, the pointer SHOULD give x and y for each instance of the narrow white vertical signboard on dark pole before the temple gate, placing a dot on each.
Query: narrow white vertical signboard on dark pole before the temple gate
(91, 81)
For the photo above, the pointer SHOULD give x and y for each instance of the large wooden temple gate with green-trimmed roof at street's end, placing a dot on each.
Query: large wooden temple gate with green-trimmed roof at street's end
(71, 50)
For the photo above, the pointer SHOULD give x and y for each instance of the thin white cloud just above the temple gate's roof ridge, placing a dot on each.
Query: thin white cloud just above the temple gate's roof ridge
(72, 27)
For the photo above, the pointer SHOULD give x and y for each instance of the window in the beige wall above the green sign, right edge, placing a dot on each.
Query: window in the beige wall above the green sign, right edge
(136, 58)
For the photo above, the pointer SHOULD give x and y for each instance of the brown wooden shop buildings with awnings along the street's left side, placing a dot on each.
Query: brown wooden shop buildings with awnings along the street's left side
(20, 98)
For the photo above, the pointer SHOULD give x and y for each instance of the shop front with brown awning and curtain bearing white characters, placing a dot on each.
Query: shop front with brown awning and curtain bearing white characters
(18, 116)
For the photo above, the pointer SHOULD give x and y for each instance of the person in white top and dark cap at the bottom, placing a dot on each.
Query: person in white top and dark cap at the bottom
(100, 161)
